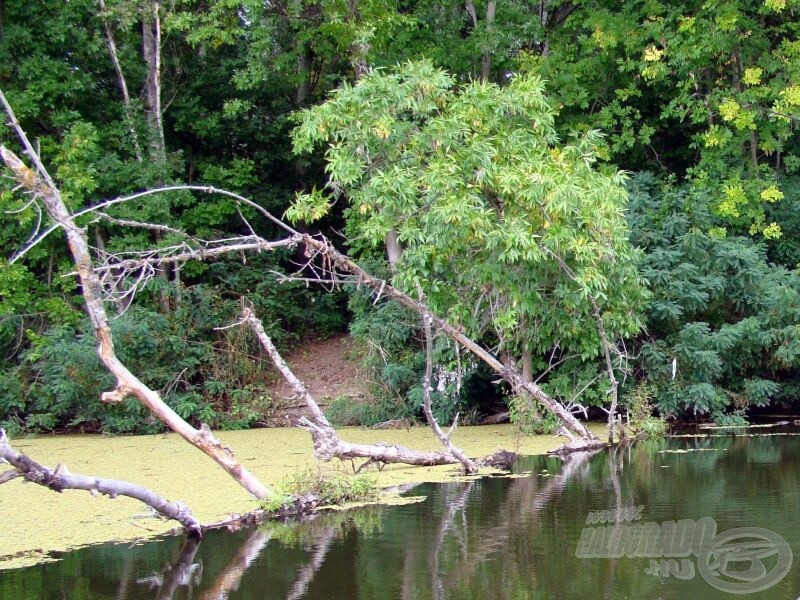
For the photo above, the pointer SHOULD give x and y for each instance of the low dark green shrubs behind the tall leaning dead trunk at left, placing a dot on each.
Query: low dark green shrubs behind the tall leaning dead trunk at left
(61, 377)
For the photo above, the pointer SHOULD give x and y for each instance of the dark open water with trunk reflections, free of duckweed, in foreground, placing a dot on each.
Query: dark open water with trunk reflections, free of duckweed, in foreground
(523, 537)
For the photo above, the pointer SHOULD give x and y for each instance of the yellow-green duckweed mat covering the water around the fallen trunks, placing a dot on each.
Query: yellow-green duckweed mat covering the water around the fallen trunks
(37, 521)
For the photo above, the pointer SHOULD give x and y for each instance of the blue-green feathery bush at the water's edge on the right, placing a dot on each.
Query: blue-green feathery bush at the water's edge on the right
(724, 316)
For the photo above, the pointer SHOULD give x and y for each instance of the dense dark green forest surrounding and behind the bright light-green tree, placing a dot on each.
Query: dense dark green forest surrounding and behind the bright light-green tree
(698, 102)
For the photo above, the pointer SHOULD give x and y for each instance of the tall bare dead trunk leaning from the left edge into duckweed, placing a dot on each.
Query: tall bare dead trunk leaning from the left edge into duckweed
(39, 183)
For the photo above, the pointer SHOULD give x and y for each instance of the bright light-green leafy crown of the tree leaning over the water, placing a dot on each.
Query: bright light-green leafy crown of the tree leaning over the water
(516, 237)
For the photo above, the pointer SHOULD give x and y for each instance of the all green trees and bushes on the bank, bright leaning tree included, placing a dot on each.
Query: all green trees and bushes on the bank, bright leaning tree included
(498, 148)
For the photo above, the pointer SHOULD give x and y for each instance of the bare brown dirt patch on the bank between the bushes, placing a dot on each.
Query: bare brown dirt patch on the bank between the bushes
(328, 368)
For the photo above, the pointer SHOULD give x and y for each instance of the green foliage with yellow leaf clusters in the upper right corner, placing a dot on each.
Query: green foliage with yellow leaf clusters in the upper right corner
(706, 89)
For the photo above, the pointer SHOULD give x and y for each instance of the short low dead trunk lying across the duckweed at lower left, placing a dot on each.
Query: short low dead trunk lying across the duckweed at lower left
(59, 479)
